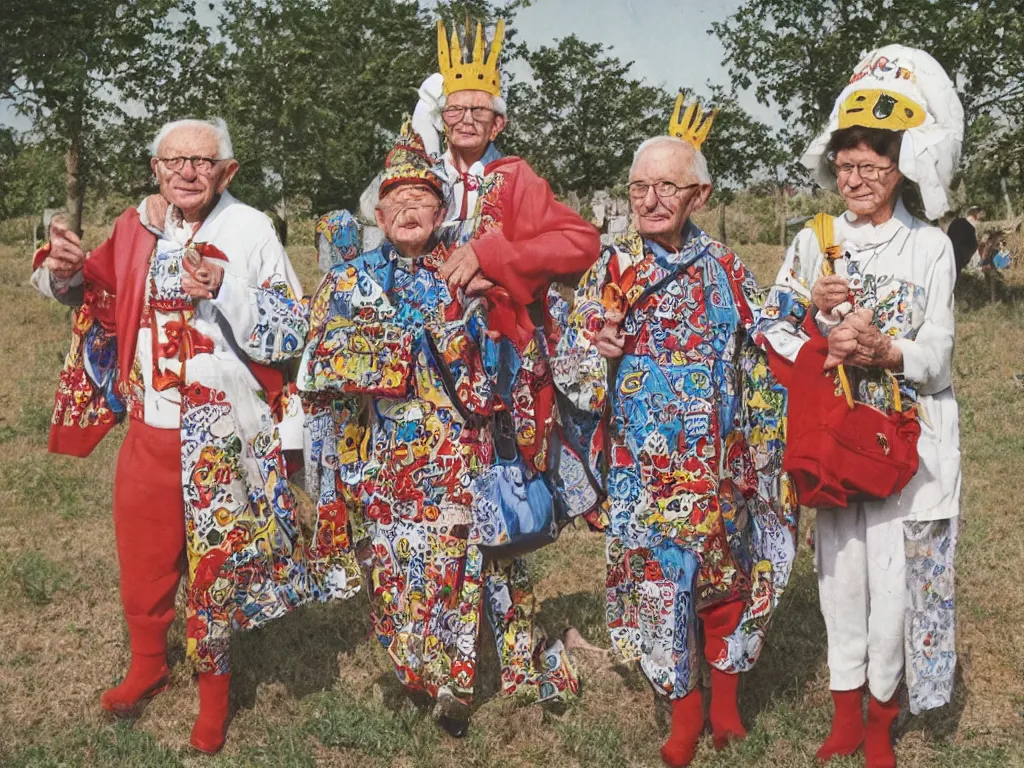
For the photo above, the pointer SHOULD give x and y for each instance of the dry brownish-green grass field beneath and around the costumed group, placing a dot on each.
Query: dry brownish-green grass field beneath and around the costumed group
(315, 691)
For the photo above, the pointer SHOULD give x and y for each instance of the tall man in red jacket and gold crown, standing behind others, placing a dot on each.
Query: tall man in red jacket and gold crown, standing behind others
(509, 240)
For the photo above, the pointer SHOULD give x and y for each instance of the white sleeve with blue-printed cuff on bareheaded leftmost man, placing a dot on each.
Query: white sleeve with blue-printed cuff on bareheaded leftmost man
(265, 309)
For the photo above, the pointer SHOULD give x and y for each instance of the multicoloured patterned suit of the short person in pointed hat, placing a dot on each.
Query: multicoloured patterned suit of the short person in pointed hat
(412, 462)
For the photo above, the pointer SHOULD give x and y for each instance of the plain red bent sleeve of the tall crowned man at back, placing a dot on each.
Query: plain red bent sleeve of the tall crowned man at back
(540, 242)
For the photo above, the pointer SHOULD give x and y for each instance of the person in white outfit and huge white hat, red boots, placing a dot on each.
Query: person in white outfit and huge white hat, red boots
(885, 567)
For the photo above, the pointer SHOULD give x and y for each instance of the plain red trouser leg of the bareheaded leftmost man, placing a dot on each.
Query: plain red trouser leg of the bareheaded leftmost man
(150, 527)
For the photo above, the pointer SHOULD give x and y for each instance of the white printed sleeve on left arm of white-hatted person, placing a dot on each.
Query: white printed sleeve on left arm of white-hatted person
(789, 302)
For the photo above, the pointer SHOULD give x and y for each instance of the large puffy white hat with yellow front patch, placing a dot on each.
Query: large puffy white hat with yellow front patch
(902, 90)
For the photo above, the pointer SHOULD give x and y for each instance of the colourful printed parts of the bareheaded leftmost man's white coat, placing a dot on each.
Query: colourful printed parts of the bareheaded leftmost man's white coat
(250, 561)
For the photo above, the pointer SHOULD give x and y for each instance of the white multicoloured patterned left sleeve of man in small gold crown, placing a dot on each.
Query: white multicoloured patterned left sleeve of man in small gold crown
(579, 370)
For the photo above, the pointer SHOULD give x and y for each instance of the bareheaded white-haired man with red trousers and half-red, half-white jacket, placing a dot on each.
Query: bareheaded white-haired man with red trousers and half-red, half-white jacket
(181, 318)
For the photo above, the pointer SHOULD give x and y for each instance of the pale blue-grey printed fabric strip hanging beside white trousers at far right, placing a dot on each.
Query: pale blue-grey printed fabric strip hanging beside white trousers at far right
(931, 618)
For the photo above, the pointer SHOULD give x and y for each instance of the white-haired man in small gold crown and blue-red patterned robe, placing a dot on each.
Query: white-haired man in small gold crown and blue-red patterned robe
(703, 527)
